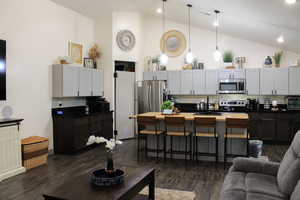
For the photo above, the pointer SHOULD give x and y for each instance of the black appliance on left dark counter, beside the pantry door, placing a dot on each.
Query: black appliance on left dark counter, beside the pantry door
(97, 105)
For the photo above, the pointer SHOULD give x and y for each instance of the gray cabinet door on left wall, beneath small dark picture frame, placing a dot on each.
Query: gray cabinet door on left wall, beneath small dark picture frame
(85, 82)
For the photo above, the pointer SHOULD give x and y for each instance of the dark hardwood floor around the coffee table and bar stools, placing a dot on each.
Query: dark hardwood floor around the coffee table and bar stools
(204, 178)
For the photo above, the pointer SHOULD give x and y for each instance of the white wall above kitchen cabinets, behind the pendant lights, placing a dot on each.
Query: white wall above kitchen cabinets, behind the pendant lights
(203, 46)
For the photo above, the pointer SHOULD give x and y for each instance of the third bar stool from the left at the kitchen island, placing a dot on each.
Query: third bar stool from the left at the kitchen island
(209, 123)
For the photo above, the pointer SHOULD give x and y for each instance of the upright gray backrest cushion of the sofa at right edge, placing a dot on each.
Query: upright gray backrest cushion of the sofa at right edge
(289, 170)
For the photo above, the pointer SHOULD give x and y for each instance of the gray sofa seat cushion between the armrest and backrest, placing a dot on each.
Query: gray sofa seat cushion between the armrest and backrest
(263, 184)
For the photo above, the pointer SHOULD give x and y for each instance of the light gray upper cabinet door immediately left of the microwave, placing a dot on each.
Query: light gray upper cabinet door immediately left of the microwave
(211, 82)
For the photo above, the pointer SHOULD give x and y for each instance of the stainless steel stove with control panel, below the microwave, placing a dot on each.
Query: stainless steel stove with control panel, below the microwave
(233, 105)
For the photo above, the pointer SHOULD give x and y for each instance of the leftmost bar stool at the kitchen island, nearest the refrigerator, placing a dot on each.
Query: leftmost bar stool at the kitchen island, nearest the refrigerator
(143, 122)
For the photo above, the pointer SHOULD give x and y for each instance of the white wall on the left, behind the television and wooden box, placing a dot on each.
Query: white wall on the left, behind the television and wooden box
(37, 32)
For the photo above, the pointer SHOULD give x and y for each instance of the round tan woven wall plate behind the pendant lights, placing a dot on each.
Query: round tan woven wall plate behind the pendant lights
(173, 43)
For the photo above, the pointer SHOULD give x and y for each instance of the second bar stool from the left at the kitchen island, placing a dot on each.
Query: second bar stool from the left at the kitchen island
(177, 122)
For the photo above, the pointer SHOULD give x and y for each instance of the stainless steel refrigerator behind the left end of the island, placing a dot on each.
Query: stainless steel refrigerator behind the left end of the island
(150, 96)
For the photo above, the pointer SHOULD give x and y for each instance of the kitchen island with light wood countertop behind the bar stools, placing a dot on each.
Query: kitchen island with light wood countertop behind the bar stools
(235, 146)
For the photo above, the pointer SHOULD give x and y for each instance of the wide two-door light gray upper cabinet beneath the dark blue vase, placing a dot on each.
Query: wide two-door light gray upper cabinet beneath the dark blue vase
(274, 81)
